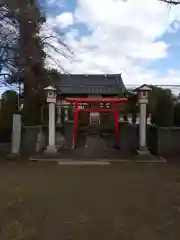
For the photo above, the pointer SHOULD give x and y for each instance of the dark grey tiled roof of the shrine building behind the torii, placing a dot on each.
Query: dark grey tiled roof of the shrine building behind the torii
(91, 84)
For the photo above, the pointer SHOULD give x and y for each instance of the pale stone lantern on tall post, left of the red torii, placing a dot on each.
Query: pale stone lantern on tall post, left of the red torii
(51, 100)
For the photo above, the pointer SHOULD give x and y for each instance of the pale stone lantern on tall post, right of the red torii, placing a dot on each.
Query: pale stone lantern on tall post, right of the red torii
(143, 93)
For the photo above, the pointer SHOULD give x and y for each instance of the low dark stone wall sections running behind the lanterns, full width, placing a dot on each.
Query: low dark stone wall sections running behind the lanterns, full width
(161, 141)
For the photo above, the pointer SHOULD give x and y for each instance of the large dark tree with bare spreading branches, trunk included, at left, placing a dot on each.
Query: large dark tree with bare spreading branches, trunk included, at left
(28, 55)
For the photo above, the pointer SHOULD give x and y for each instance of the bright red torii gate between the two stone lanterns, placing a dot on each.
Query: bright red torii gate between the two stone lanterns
(114, 101)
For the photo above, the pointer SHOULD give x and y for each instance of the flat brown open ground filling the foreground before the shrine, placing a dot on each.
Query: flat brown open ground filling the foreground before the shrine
(131, 201)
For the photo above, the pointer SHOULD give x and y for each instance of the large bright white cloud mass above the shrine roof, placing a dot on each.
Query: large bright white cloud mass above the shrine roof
(123, 37)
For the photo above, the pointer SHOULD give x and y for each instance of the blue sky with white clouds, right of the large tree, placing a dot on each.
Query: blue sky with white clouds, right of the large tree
(141, 40)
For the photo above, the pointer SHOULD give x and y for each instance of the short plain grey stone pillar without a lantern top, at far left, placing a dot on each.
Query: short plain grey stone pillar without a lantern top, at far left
(16, 134)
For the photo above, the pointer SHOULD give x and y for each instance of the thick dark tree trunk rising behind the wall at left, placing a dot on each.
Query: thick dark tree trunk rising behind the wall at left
(32, 64)
